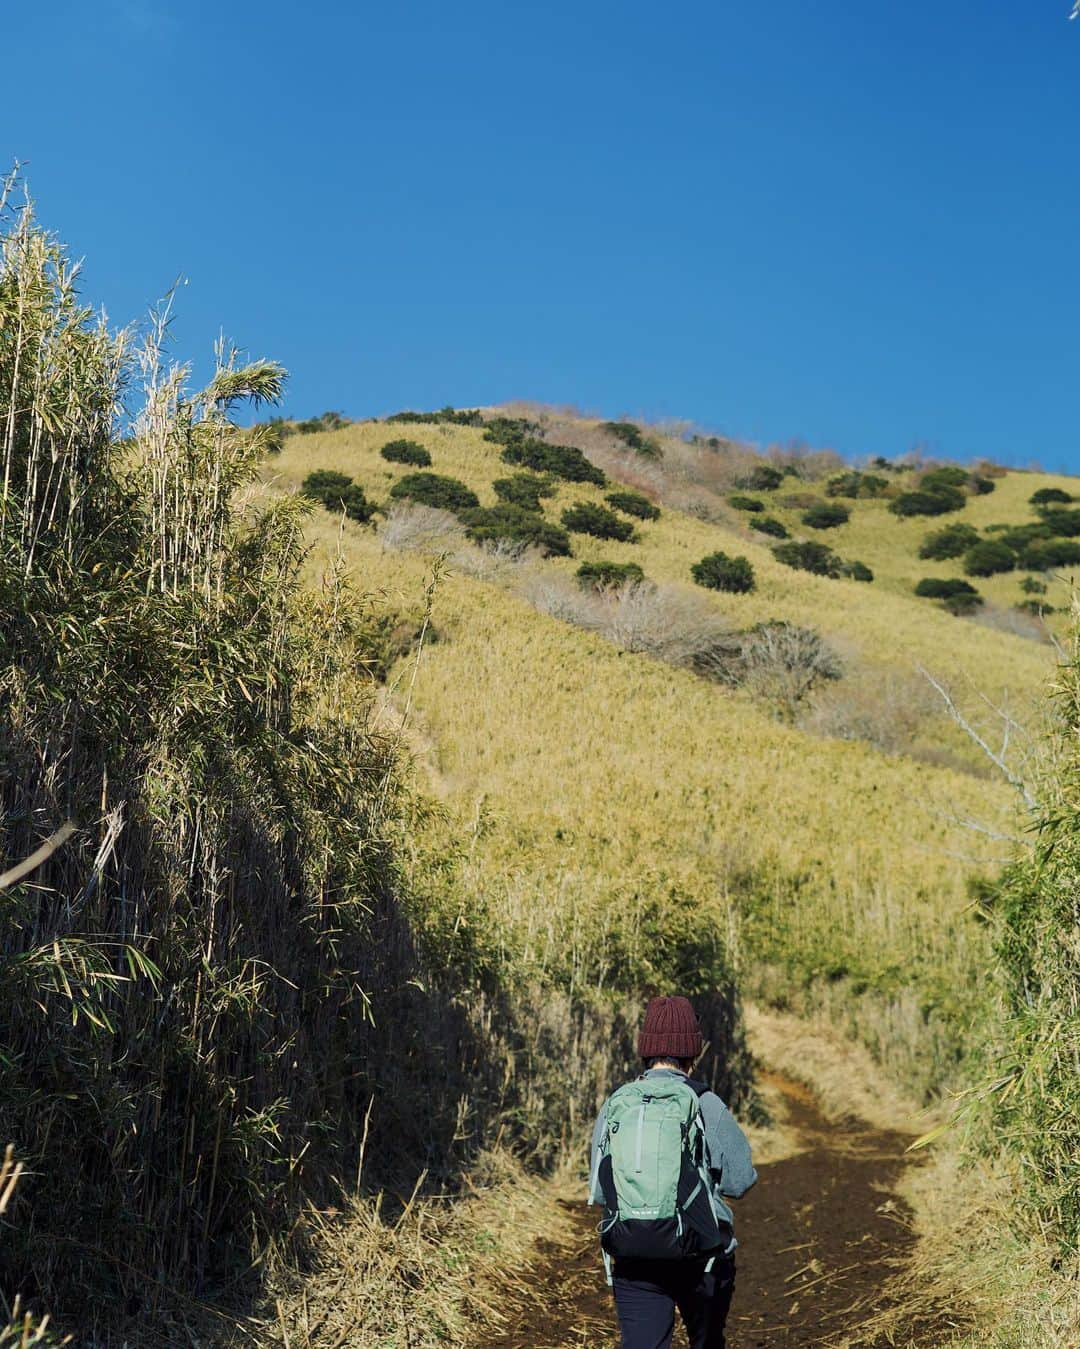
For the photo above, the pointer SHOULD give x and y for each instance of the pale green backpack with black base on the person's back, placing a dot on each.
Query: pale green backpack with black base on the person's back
(652, 1174)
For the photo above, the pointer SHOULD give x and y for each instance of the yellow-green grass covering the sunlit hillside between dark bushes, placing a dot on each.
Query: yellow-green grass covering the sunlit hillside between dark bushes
(624, 814)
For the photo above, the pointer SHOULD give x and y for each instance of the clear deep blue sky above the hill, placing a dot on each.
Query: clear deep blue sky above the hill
(847, 223)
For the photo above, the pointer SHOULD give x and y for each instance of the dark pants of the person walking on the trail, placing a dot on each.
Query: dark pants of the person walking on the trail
(648, 1293)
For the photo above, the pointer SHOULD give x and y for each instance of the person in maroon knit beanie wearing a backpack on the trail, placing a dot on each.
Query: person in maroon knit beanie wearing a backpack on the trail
(665, 1155)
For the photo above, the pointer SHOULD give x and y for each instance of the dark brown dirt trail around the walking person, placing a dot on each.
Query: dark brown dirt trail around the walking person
(822, 1238)
